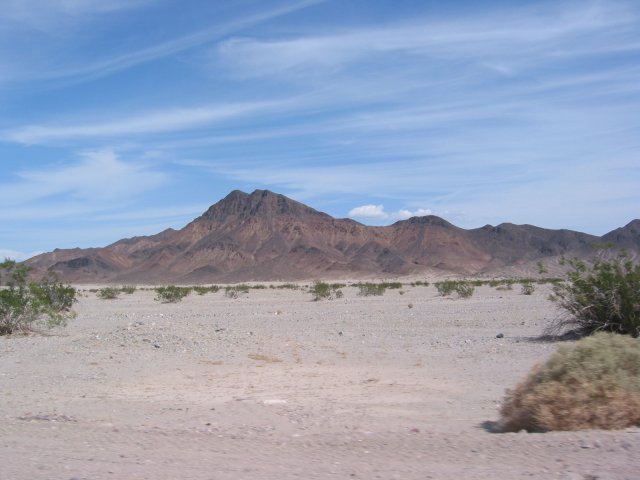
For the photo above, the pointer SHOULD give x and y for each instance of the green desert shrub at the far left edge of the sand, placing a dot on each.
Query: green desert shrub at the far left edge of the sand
(25, 304)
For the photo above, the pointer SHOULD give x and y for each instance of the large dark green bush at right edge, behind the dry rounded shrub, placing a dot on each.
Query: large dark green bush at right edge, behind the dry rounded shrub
(602, 296)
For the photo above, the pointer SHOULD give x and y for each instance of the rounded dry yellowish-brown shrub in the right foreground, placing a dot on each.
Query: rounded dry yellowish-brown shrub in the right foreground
(592, 384)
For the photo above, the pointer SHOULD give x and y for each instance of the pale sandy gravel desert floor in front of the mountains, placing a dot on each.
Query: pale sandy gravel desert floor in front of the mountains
(275, 386)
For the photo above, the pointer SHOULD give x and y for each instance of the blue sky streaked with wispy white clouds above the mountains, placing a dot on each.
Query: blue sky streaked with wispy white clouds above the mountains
(127, 117)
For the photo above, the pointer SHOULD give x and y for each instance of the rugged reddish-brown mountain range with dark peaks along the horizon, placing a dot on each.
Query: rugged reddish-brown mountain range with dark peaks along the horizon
(266, 236)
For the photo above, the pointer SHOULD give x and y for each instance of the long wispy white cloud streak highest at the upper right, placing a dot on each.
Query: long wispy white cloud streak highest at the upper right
(504, 42)
